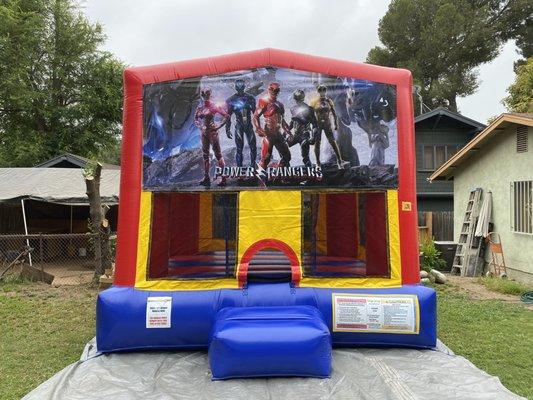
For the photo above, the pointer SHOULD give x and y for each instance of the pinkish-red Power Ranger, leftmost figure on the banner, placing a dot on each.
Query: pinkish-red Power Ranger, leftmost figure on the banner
(204, 119)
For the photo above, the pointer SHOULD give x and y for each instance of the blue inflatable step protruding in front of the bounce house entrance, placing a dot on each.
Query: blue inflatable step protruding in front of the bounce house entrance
(252, 342)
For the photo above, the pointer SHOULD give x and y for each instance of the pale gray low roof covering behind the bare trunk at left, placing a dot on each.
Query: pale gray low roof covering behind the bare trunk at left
(55, 185)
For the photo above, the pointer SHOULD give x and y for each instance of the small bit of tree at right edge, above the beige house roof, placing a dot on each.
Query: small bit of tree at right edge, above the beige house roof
(520, 97)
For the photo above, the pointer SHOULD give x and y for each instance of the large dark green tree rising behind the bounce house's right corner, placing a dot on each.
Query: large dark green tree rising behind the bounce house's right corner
(443, 41)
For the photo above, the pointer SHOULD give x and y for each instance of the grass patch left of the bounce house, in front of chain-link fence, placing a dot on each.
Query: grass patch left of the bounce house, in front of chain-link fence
(42, 330)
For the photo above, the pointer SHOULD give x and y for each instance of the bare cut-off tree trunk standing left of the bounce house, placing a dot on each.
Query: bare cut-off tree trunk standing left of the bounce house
(99, 225)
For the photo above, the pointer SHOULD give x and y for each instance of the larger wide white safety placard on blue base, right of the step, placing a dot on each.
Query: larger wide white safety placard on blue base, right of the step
(375, 313)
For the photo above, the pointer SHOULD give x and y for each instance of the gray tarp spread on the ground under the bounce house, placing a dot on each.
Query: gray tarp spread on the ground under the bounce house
(368, 374)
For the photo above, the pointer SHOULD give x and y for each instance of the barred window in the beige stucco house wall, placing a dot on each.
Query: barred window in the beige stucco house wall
(522, 206)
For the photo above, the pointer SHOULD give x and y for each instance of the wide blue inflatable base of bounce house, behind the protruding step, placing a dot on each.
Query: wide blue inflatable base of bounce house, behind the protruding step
(121, 315)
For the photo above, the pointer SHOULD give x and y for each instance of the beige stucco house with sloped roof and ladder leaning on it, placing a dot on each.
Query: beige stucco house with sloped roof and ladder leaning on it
(499, 160)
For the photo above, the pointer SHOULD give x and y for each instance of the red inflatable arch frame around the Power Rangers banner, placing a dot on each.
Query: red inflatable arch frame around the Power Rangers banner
(131, 162)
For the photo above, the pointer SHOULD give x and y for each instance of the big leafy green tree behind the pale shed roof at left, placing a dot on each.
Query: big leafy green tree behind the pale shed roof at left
(58, 91)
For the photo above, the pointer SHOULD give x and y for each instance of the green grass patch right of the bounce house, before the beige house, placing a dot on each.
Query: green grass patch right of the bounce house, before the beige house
(494, 335)
